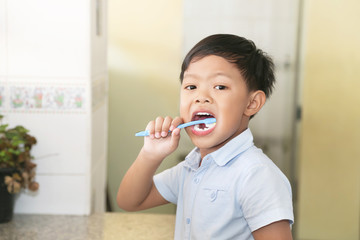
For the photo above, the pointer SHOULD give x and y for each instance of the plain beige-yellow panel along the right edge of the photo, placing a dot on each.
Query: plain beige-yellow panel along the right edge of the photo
(329, 187)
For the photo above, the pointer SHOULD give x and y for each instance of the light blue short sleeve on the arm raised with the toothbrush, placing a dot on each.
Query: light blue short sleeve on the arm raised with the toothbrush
(168, 183)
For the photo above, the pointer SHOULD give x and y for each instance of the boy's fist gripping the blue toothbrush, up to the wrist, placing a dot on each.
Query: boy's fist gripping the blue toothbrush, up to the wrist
(160, 143)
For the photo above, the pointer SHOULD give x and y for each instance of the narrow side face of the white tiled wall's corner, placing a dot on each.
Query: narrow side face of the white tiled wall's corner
(99, 104)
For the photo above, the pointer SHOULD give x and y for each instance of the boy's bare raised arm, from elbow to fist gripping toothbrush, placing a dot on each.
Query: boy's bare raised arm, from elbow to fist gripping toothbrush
(137, 190)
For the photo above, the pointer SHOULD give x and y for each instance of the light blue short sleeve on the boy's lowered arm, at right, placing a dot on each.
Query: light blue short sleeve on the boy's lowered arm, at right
(266, 197)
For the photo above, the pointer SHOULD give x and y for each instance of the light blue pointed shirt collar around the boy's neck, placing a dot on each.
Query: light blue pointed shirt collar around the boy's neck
(223, 155)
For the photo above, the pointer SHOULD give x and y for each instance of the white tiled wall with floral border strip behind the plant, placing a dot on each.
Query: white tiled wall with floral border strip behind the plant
(53, 81)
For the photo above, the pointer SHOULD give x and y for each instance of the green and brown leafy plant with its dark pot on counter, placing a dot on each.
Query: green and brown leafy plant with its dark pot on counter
(16, 167)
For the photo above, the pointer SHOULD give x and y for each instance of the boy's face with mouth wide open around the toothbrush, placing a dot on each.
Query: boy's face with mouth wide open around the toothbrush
(213, 87)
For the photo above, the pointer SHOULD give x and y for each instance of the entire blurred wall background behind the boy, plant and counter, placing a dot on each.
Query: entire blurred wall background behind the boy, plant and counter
(84, 76)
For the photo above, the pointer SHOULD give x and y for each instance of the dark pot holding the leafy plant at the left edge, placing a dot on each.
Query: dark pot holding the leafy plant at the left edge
(6, 199)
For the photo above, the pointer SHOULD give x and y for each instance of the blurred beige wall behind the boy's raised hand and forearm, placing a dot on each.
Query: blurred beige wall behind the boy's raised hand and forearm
(144, 65)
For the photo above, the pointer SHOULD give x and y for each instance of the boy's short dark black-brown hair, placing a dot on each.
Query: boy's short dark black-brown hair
(256, 66)
